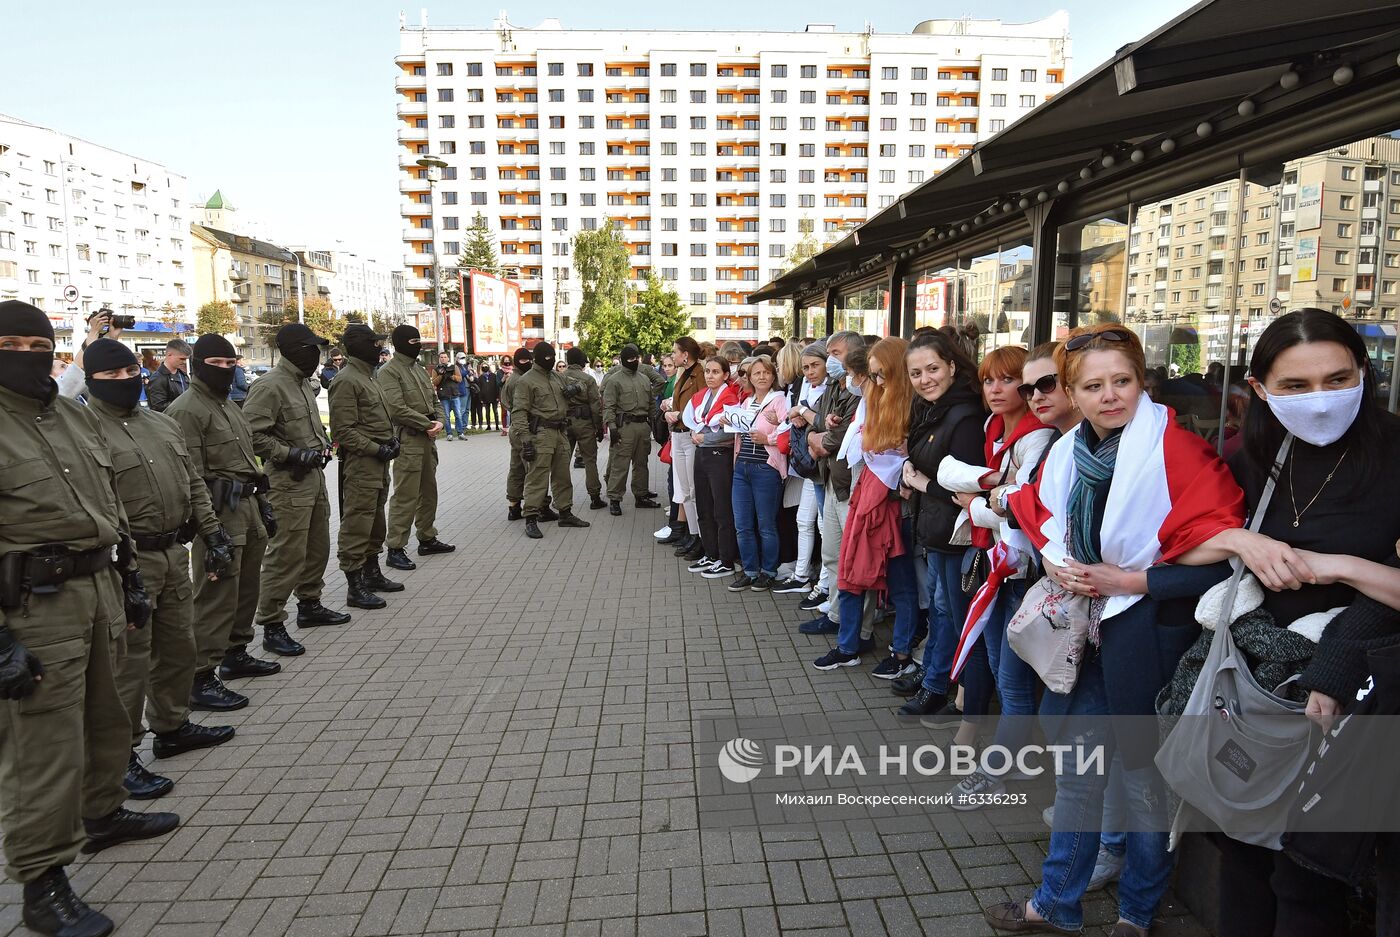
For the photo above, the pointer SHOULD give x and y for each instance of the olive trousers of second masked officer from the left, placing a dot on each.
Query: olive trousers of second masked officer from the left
(159, 670)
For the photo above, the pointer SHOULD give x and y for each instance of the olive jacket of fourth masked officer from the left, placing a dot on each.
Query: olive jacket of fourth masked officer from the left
(282, 414)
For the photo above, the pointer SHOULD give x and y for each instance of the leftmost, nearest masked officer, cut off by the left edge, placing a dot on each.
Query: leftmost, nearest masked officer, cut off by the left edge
(65, 609)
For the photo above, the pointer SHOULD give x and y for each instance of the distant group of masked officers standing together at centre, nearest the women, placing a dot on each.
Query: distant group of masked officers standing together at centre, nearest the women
(555, 412)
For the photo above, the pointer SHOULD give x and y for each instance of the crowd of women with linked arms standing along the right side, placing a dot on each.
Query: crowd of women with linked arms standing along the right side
(877, 478)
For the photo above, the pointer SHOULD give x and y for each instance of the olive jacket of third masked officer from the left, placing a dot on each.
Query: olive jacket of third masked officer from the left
(222, 447)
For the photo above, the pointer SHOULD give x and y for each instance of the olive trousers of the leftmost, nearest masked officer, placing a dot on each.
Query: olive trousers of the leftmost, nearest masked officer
(64, 750)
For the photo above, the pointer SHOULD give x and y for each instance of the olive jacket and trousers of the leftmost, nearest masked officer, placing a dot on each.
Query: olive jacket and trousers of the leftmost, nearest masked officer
(64, 750)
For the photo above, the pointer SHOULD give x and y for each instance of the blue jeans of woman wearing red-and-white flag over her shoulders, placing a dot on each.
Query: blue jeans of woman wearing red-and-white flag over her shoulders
(1079, 813)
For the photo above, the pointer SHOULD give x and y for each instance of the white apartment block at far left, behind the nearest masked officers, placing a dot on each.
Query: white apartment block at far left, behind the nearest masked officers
(108, 225)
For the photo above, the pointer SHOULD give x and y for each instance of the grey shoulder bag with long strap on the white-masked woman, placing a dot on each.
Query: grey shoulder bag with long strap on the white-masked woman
(1238, 750)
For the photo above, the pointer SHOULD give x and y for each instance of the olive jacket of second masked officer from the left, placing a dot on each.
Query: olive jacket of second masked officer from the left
(155, 476)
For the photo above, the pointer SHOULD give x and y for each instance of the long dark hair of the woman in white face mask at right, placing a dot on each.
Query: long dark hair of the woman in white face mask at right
(1366, 439)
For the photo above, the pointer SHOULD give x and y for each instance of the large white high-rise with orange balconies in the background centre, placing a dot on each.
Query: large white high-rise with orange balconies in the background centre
(712, 152)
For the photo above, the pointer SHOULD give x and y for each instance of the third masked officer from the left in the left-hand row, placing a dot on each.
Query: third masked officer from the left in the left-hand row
(222, 449)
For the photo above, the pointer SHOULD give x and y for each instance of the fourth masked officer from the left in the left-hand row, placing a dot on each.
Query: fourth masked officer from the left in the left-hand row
(292, 442)
